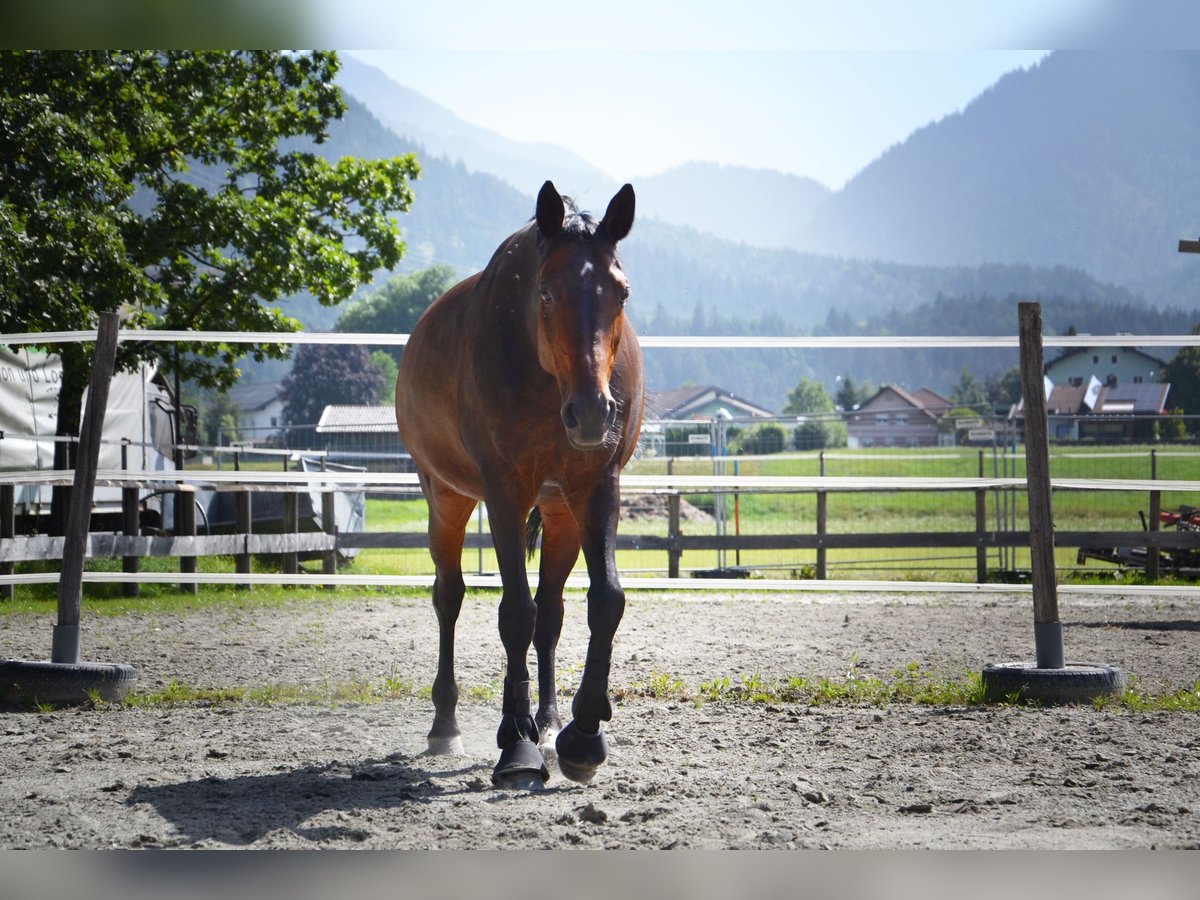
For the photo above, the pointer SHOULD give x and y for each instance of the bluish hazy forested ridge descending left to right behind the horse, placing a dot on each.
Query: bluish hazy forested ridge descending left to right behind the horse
(689, 281)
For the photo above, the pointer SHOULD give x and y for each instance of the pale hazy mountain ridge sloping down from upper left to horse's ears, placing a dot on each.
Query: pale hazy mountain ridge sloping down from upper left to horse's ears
(442, 134)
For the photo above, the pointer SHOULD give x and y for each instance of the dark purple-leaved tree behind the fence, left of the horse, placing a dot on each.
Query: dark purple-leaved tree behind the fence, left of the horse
(326, 375)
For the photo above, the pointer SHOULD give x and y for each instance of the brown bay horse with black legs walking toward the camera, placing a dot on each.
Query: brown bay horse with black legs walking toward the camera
(524, 387)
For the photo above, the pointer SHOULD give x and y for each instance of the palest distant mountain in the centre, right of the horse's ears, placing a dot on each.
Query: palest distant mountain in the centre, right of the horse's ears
(759, 207)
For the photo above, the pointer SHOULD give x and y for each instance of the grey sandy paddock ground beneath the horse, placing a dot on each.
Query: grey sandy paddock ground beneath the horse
(723, 775)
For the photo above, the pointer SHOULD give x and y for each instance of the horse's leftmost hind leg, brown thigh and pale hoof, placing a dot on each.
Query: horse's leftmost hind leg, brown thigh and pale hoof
(449, 515)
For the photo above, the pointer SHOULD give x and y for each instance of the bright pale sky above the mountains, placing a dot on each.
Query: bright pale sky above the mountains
(637, 87)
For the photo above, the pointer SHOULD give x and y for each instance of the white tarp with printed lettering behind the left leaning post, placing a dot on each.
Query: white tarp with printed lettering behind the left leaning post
(29, 393)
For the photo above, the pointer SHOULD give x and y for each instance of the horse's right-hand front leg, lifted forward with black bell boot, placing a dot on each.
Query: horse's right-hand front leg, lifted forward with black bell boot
(581, 746)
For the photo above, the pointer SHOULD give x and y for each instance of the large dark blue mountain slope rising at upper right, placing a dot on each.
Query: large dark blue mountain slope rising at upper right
(1087, 160)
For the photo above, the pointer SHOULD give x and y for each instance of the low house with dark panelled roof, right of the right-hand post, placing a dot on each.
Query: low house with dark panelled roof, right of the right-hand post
(1102, 412)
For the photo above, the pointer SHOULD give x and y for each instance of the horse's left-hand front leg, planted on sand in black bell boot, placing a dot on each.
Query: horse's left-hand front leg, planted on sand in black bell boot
(521, 765)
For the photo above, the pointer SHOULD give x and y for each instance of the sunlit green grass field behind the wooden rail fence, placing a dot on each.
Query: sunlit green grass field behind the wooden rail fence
(875, 512)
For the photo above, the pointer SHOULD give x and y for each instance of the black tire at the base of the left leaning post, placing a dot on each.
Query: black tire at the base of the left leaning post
(23, 685)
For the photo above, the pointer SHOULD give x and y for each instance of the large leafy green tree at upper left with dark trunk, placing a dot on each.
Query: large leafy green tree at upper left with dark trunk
(157, 184)
